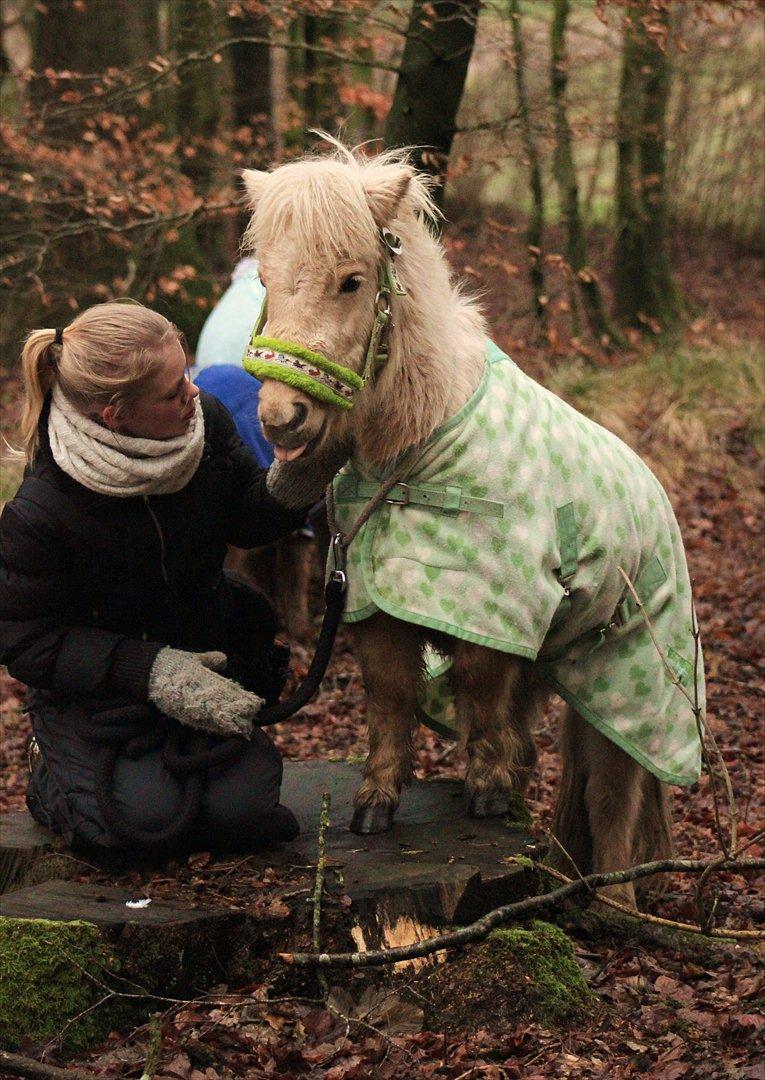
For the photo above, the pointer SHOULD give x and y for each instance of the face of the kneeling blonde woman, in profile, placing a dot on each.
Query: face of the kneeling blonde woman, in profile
(167, 404)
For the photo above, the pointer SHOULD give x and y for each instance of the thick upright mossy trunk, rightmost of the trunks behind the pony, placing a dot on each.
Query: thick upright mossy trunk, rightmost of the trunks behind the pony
(646, 292)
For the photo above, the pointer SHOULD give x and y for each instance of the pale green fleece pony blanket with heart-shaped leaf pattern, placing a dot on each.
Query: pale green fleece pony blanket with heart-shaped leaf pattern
(509, 532)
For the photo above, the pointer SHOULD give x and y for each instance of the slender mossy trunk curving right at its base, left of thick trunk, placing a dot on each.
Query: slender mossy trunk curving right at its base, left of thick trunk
(566, 177)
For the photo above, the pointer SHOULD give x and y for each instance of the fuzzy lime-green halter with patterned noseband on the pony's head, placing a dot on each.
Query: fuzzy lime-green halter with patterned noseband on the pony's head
(312, 372)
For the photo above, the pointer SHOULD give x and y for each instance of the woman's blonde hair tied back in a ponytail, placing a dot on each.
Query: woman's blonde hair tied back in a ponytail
(109, 354)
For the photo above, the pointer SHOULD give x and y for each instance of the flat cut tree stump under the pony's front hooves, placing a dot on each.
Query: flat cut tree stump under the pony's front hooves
(437, 867)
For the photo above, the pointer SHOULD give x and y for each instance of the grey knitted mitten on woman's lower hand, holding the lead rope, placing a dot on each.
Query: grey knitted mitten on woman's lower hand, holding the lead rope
(185, 686)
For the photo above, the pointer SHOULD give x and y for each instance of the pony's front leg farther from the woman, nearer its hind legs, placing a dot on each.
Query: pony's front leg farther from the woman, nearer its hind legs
(494, 704)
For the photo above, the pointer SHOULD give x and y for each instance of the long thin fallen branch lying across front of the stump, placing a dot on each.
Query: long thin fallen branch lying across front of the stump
(480, 929)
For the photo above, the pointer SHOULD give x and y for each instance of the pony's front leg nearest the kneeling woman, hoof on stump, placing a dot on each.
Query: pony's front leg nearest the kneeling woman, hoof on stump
(391, 654)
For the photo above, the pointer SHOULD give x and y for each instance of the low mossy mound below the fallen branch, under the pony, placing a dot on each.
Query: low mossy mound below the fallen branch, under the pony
(518, 973)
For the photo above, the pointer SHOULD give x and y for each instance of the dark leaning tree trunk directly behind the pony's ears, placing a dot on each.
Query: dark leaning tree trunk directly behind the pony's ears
(430, 89)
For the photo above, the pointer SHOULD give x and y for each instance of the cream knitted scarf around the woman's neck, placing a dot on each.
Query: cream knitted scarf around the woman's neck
(123, 466)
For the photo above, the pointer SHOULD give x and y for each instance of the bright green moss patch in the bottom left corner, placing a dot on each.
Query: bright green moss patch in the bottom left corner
(50, 974)
